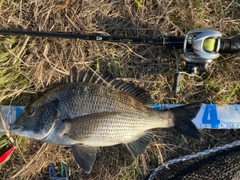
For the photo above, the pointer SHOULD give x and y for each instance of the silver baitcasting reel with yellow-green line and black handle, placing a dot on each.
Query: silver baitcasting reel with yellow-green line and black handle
(200, 48)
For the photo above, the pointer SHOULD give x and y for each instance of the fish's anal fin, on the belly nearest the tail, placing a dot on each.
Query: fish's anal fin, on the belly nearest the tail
(138, 146)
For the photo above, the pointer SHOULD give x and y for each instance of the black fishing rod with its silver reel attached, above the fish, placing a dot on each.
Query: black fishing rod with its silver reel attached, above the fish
(199, 47)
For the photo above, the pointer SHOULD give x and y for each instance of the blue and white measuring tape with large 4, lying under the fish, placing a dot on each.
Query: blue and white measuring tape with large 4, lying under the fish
(210, 116)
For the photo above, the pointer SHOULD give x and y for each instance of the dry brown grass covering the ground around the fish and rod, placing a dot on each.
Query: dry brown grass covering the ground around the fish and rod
(40, 62)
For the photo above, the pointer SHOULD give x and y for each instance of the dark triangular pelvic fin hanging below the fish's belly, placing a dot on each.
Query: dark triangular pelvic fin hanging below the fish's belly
(85, 156)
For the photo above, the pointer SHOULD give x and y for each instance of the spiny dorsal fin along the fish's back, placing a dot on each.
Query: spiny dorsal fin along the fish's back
(92, 77)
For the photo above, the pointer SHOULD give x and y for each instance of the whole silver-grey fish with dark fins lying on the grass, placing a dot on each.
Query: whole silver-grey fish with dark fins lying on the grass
(92, 111)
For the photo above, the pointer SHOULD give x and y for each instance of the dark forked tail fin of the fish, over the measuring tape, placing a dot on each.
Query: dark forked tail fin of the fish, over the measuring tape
(182, 119)
